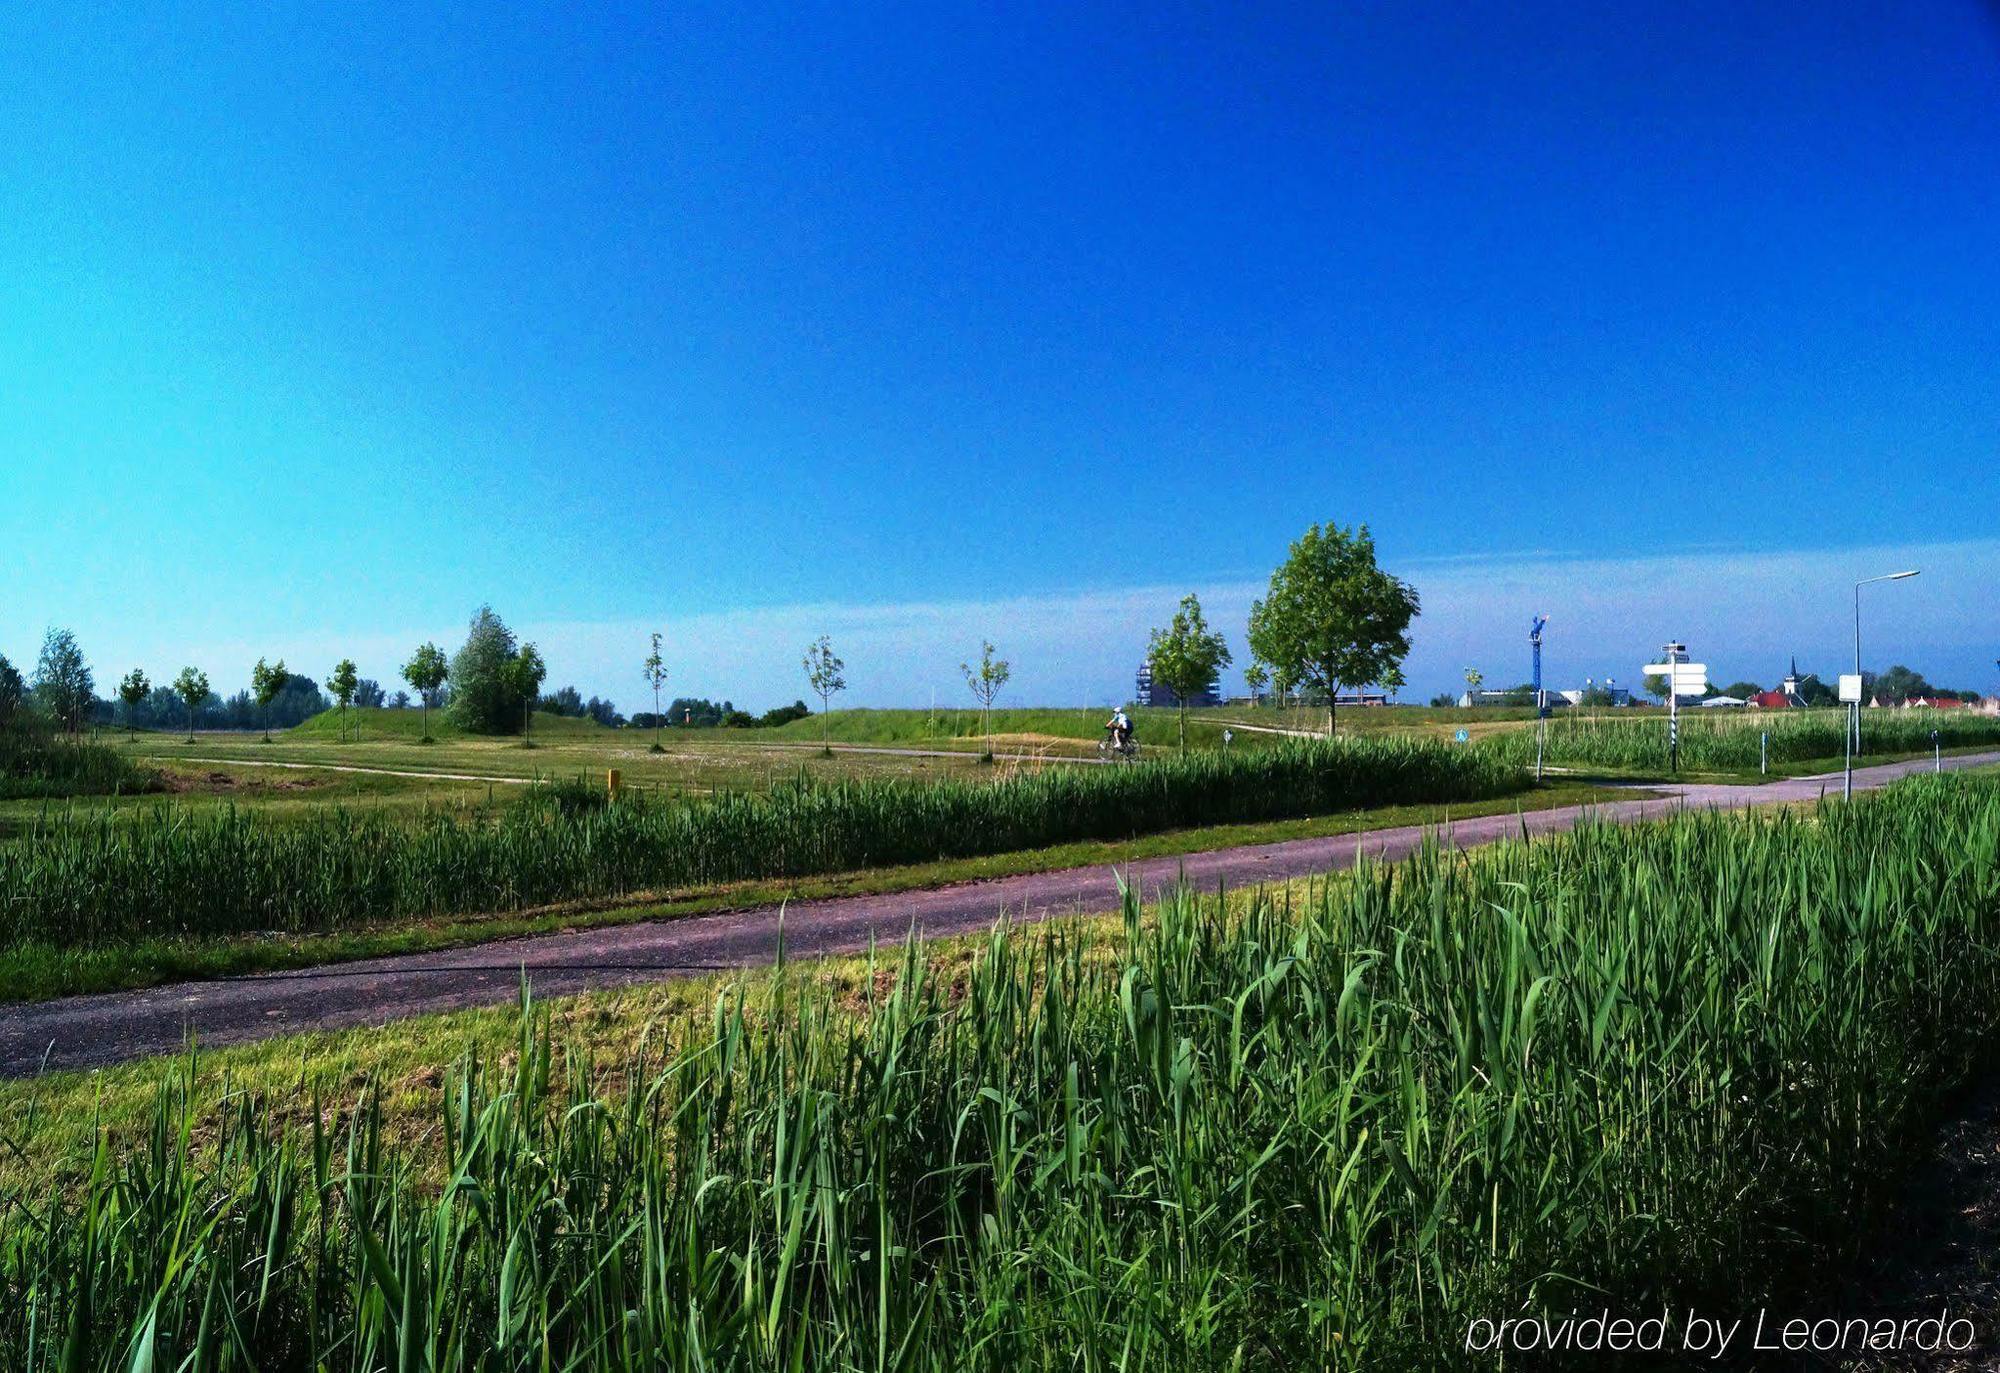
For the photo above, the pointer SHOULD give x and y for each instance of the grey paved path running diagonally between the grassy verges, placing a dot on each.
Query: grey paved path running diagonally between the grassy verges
(87, 1032)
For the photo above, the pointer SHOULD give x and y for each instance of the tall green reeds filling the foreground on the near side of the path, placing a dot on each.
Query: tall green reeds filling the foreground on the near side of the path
(1637, 1068)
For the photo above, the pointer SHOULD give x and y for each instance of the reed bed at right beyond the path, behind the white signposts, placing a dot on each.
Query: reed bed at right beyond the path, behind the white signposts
(1731, 740)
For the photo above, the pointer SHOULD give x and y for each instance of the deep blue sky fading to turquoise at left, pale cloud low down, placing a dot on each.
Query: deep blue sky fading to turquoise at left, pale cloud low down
(925, 325)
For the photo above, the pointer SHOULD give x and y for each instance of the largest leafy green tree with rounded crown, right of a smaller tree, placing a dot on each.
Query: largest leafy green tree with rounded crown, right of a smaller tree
(1333, 617)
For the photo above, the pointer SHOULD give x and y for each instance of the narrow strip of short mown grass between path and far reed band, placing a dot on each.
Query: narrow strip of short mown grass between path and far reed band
(43, 970)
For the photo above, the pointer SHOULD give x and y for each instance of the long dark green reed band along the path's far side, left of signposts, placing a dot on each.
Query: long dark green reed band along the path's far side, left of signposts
(203, 874)
